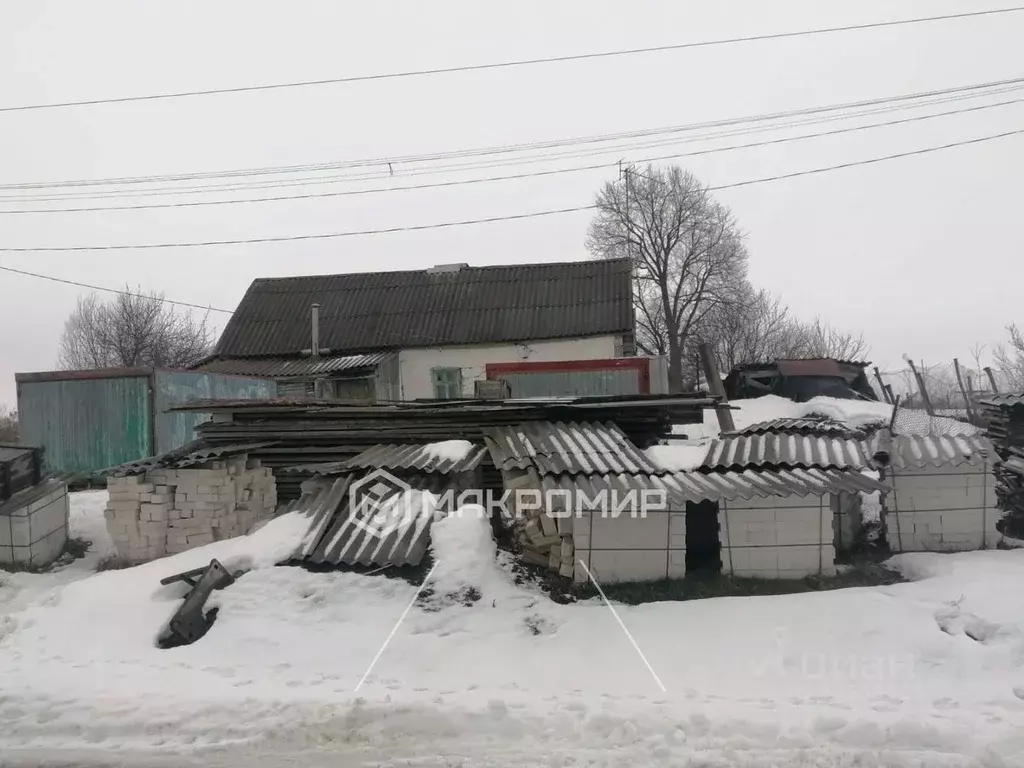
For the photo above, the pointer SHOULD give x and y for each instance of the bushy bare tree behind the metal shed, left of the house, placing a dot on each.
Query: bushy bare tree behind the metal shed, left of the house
(133, 329)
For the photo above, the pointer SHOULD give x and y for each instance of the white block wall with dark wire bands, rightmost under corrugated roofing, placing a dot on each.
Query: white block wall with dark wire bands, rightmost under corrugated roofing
(947, 509)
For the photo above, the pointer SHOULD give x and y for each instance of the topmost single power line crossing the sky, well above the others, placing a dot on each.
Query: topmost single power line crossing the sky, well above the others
(519, 63)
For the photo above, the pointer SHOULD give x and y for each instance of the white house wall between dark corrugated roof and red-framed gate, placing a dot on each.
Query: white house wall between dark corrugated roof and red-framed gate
(416, 364)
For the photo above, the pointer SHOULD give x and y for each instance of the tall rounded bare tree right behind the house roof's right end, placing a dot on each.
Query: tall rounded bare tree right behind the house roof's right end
(689, 254)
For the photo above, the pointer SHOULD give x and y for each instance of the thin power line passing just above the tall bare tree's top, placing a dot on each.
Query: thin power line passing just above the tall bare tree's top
(533, 175)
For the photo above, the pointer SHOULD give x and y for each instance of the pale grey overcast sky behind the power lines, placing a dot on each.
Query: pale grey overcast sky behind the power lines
(923, 255)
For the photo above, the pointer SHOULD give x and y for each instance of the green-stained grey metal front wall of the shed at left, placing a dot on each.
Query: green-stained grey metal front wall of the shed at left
(87, 424)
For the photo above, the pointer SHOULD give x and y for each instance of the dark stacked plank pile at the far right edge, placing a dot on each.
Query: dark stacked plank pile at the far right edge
(1004, 416)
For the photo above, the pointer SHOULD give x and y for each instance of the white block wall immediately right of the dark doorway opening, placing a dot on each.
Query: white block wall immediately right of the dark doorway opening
(778, 538)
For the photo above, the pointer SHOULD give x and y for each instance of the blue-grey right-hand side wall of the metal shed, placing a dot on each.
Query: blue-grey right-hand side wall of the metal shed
(175, 430)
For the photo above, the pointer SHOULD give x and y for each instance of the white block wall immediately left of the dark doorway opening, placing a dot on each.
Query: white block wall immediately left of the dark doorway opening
(630, 548)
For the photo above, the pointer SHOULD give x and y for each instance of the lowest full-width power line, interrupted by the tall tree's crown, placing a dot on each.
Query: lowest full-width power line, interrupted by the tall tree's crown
(490, 220)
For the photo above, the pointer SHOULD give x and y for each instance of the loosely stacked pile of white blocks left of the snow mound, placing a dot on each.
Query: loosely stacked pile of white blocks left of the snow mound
(173, 510)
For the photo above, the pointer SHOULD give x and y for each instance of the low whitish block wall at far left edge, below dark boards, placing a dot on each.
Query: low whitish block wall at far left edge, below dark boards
(35, 533)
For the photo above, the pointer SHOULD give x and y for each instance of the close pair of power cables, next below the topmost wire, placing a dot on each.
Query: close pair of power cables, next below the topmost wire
(960, 93)
